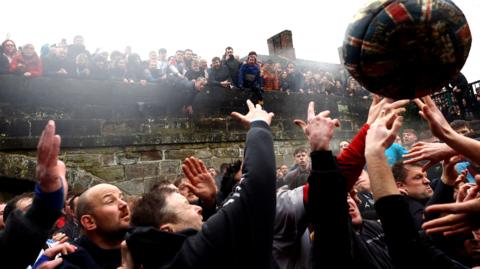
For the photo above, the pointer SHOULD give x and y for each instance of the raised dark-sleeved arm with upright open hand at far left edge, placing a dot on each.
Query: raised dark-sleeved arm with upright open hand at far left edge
(25, 234)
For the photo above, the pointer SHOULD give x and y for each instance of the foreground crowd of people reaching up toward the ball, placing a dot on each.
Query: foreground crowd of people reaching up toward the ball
(383, 201)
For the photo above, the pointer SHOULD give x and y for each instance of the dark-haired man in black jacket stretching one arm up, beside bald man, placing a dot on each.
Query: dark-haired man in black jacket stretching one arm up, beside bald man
(239, 235)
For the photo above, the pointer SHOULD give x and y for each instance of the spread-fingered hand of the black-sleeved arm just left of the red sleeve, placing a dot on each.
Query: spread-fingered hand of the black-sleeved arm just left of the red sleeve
(319, 129)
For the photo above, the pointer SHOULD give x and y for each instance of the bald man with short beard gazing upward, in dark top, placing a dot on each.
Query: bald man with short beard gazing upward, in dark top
(104, 217)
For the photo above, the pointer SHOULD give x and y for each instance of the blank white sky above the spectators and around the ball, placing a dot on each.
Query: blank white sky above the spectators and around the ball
(206, 26)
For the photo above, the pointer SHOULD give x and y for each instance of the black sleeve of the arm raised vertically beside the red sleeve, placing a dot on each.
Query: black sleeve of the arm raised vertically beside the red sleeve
(328, 211)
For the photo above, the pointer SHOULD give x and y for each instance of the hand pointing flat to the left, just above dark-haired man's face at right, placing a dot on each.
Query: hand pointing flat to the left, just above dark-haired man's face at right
(433, 152)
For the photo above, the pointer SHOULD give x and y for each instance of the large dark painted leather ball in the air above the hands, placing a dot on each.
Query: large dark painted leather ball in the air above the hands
(405, 49)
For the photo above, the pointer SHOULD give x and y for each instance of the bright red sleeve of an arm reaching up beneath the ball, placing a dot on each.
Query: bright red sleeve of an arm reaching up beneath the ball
(352, 159)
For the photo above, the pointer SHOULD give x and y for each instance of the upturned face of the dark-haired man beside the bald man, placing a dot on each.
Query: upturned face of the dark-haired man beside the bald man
(188, 216)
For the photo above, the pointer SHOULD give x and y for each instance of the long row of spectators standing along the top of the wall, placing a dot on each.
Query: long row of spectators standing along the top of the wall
(75, 61)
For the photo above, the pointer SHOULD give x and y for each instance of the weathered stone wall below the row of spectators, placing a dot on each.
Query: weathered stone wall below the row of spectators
(133, 136)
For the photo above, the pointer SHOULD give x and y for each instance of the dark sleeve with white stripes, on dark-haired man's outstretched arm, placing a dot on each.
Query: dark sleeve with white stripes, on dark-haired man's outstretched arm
(242, 231)
